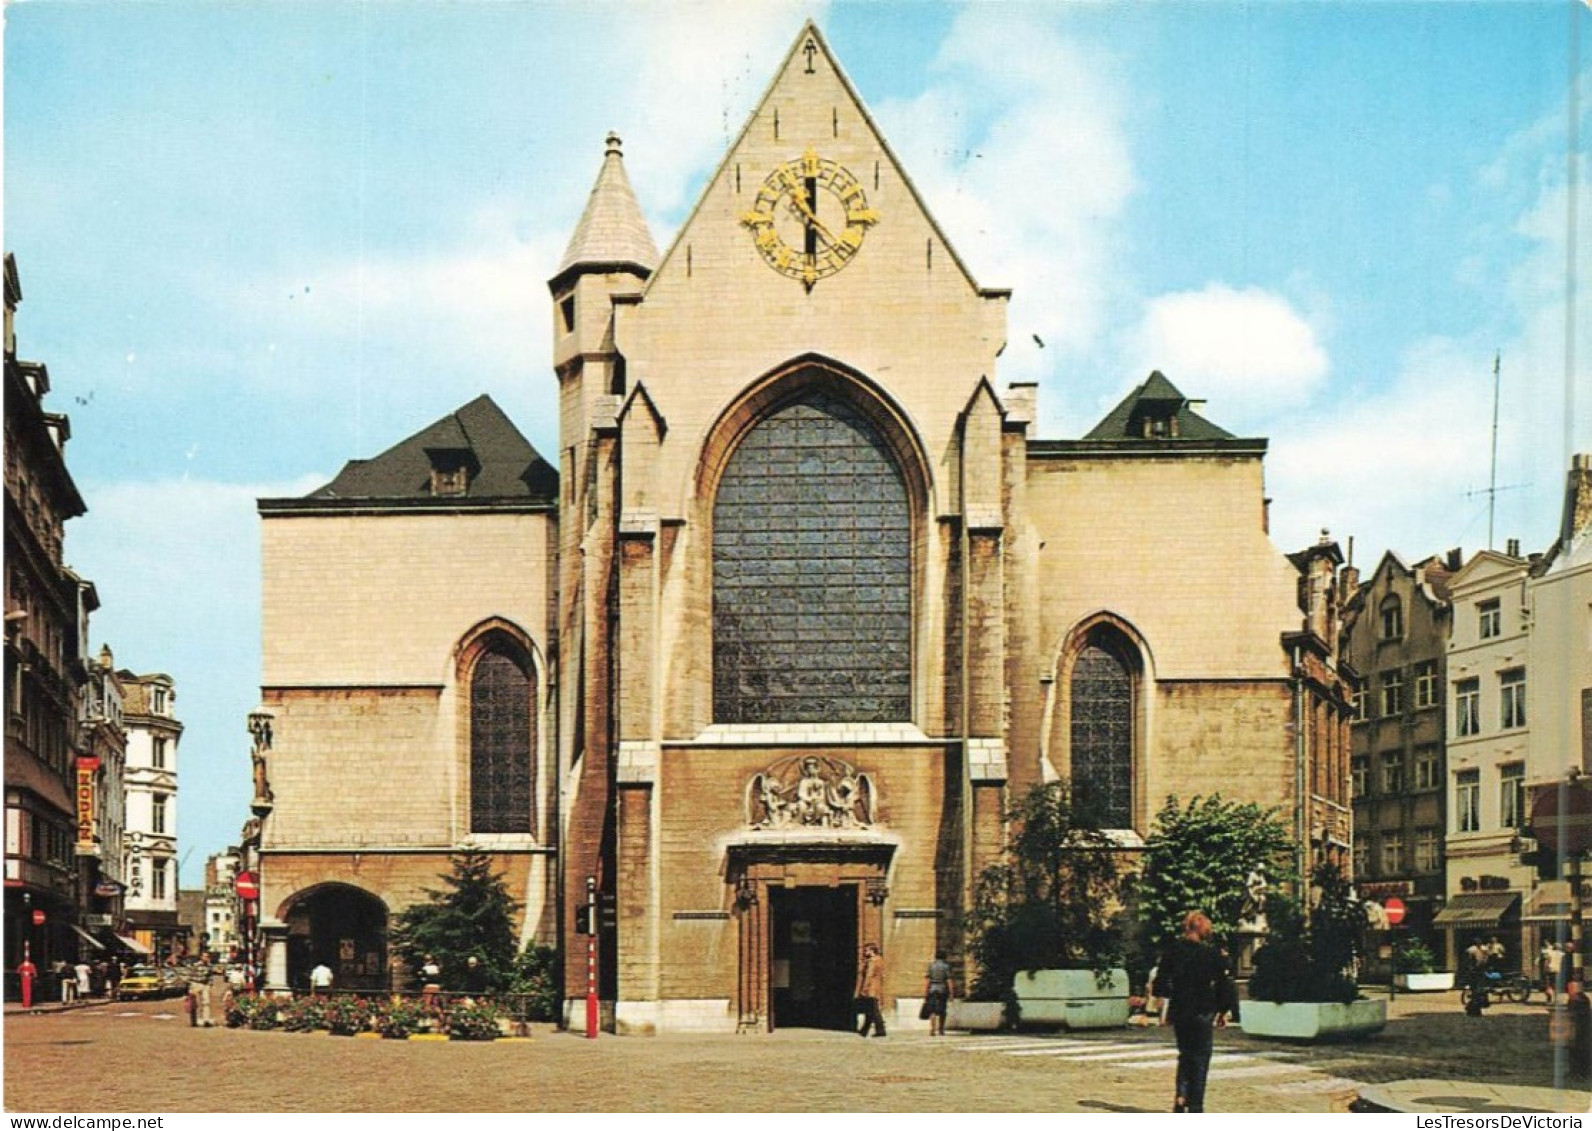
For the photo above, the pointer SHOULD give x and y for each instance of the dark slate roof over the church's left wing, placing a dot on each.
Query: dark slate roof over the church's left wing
(504, 464)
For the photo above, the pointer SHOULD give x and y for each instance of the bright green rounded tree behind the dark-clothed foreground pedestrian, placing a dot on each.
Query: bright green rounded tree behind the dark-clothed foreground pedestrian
(1200, 858)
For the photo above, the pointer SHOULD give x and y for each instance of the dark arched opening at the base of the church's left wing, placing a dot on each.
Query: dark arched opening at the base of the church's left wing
(345, 928)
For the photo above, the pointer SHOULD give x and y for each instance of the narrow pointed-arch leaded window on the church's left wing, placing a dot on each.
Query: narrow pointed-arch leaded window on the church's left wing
(502, 745)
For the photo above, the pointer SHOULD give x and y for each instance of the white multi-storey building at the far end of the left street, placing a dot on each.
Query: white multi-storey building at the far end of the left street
(150, 859)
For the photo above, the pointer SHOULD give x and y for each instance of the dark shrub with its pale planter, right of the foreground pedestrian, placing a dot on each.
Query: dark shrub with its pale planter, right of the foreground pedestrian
(1305, 982)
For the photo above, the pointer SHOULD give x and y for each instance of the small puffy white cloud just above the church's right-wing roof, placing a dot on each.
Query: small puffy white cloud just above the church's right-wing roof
(1247, 350)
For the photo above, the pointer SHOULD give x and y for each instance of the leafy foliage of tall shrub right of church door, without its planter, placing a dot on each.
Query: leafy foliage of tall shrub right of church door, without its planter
(1053, 901)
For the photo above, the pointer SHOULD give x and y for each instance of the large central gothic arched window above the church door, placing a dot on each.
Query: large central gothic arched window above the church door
(813, 573)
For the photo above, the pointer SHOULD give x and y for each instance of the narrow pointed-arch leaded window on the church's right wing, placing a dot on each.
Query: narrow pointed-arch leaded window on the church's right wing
(1102, 703)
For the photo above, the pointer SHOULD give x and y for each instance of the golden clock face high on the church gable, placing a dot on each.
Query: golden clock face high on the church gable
(810, 219)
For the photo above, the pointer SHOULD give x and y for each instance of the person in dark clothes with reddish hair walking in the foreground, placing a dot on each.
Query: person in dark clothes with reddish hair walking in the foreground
(1195, 979)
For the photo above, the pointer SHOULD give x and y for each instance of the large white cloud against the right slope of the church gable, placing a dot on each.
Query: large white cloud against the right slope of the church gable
(1020, 151)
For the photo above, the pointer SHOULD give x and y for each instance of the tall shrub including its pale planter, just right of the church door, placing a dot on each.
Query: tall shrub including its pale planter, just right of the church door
(1045, 933)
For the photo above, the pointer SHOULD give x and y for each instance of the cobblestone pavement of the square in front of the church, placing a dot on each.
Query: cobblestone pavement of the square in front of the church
(146, 1059)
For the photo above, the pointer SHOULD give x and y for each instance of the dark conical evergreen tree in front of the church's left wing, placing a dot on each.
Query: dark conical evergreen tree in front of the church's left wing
(474, 914)
